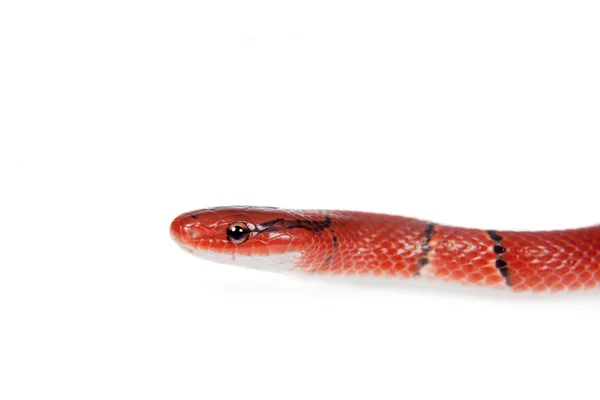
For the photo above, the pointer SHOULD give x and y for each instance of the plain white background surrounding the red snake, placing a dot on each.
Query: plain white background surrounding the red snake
(116, 116)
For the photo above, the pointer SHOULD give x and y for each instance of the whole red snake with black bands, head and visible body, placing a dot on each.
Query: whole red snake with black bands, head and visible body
(357, 243)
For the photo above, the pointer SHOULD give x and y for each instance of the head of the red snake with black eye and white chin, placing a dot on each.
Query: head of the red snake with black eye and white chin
(261, 237)
